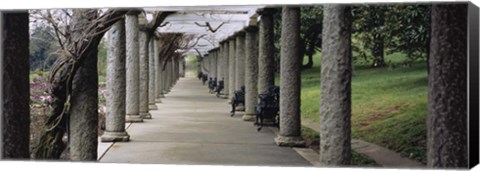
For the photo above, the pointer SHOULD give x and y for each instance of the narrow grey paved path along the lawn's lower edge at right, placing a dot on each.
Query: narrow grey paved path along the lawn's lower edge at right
(381, 155)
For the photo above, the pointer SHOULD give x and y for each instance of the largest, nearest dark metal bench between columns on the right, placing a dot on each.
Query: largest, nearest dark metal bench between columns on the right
(268, 107)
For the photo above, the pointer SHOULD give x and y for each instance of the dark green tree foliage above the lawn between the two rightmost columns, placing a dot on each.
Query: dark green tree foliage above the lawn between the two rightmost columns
(400, 27)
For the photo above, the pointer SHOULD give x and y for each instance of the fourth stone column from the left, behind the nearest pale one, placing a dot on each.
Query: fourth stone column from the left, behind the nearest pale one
(133, 75)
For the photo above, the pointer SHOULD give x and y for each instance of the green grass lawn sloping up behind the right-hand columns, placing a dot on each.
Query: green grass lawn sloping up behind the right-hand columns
(389, 105)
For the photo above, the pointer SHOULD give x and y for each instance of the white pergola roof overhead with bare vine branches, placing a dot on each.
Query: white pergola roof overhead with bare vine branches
(228, 20)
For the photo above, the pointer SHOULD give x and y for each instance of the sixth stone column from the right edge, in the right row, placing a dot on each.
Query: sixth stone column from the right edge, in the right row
(240, 60)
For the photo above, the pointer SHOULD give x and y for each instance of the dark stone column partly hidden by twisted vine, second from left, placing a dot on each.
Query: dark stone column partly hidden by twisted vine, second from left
(84, 100)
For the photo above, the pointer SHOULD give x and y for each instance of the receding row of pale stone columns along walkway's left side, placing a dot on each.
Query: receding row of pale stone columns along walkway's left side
(137, 77)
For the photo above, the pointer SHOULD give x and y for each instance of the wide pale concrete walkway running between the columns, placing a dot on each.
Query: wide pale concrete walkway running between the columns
(194, 127)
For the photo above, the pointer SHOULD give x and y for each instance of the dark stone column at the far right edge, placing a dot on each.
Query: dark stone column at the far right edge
(447, 141)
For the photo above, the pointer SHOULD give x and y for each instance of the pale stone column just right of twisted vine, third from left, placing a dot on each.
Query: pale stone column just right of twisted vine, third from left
(116, 85)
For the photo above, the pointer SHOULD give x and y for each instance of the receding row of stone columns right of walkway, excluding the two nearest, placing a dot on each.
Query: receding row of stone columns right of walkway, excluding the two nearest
(246, 59)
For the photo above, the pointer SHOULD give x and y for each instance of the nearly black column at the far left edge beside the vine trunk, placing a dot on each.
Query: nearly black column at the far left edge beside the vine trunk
(15, 86)
